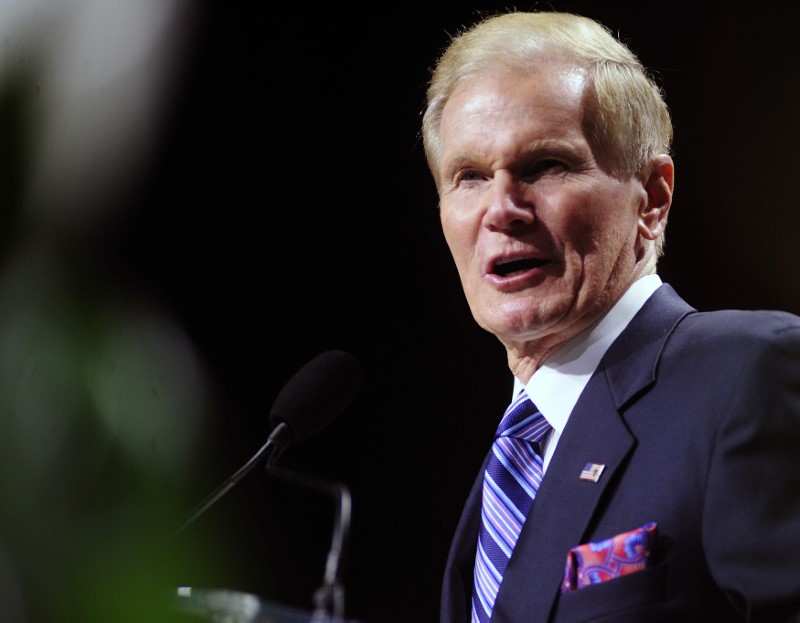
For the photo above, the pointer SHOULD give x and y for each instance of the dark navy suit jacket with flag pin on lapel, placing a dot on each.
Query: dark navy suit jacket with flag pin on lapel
(696, 417)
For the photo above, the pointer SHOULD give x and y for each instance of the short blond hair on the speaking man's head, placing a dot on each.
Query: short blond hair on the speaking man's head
(627, 120)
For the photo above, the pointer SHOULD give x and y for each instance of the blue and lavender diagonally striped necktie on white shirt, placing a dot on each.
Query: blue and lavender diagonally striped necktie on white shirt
(512, 477)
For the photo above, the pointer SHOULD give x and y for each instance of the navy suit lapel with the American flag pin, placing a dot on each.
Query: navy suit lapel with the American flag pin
(595, 433)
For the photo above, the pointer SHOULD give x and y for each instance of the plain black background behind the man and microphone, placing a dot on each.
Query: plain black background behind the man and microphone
(289, 211)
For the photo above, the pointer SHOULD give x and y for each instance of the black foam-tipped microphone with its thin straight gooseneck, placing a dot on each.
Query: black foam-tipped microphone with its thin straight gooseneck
(311, 399)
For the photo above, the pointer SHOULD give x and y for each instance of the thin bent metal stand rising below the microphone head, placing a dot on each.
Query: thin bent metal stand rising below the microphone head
(328, 598)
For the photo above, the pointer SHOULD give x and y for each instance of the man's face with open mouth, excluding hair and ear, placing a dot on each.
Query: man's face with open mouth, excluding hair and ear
(544, 238)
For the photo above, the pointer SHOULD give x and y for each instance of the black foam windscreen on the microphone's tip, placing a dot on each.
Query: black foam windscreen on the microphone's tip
(320, 391)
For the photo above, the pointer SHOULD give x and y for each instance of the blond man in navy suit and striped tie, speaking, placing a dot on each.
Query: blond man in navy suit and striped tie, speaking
(661, 482)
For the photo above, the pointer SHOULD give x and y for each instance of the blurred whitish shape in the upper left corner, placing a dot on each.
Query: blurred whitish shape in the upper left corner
(101, 72)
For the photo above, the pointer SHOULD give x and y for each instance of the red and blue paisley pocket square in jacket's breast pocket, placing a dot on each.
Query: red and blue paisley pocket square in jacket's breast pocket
(592, 563)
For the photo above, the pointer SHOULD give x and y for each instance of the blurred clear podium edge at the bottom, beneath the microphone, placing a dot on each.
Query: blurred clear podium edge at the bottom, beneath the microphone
(219, 605)
